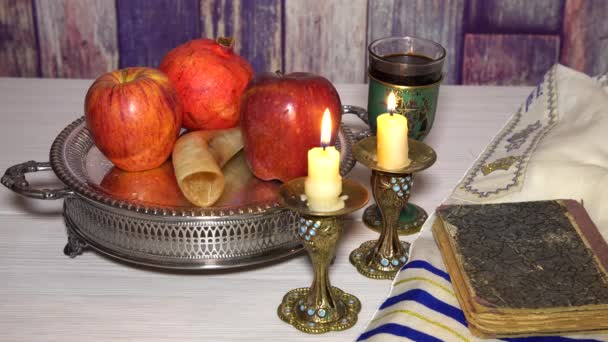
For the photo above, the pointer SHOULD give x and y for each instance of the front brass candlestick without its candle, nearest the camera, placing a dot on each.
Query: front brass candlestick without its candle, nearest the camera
(322, 307)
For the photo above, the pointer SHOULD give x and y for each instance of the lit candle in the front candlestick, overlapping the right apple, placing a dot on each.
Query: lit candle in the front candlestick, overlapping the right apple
(323, 186)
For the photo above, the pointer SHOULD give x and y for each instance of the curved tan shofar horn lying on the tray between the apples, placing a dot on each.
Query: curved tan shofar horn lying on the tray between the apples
(198, 158)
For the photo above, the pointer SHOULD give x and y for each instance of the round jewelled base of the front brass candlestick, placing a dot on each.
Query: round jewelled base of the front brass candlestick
(318, 319)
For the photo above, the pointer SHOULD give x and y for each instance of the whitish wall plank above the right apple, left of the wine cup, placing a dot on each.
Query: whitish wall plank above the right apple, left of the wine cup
(327, 38)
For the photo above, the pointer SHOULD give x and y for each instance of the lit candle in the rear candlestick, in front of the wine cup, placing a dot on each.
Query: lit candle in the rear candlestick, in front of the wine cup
(392, 146)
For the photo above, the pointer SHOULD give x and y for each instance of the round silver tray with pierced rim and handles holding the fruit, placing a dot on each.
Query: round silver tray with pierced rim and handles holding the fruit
(243, 230)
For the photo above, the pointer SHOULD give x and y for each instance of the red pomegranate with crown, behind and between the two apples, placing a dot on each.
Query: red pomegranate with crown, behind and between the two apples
(210, 79)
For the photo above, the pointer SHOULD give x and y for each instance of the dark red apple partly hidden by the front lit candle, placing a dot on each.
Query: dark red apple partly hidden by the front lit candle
(281, 120)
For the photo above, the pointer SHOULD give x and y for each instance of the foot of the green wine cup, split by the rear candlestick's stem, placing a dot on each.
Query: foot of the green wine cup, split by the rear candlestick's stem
(411, 219)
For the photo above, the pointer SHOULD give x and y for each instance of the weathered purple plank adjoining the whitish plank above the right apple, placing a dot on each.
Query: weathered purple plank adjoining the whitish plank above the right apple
(256, 26)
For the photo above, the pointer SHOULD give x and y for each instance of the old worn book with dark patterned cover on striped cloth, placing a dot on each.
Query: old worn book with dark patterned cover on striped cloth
(528, 268)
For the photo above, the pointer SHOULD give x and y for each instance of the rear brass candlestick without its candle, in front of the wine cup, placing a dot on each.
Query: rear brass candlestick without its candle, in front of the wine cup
(382, 258)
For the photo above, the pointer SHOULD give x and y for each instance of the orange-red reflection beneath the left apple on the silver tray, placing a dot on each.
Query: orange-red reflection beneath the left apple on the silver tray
(157, 186)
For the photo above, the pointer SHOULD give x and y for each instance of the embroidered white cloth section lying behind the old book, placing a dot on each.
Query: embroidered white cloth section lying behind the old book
(560, 143)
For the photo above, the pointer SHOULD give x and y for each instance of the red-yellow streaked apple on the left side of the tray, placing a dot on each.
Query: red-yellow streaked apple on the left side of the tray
(134, 116)
